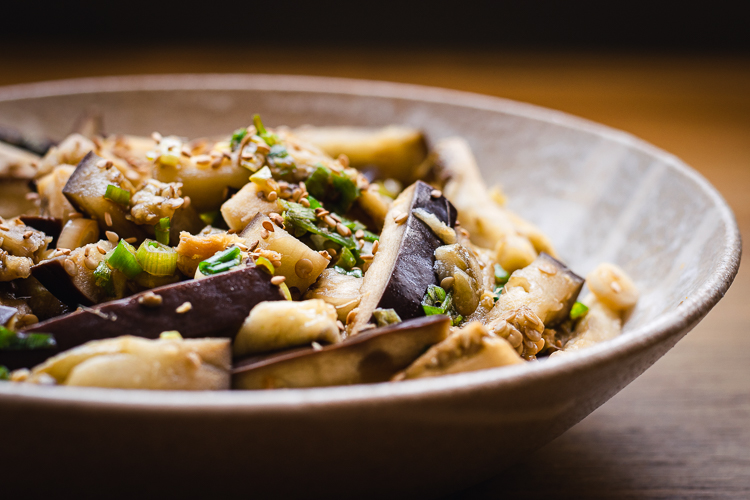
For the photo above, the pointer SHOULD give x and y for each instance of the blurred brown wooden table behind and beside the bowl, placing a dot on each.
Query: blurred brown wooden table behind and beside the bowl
(682, 430)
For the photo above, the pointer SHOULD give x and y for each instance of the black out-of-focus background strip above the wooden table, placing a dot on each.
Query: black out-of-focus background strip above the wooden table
(532, 24)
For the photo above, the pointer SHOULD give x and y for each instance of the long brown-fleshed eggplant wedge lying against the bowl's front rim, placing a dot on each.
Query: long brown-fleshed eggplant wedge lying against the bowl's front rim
(370, 357)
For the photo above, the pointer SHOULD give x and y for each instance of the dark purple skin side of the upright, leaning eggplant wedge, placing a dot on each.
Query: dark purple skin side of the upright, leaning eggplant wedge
(413, 271)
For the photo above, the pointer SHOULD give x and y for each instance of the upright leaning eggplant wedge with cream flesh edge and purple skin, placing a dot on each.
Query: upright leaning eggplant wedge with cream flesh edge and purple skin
(403, 266)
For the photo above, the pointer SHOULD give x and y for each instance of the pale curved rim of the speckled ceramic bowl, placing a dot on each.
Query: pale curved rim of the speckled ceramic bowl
(668, 324)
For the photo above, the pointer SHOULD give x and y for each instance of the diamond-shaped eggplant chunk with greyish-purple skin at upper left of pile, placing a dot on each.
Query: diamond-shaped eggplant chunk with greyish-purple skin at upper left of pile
(85, 191)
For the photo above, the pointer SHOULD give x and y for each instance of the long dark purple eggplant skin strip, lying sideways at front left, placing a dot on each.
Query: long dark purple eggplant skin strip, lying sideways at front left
(220, 304)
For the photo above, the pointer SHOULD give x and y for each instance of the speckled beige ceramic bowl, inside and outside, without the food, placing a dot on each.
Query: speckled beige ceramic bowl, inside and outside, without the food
(599, 193)
